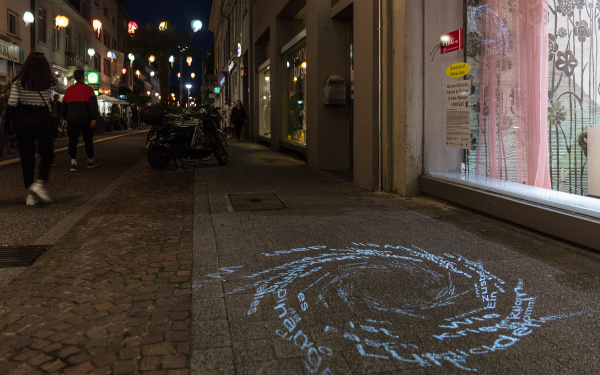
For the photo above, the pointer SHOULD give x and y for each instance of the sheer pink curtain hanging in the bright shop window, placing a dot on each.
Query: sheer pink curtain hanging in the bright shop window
(513, 121)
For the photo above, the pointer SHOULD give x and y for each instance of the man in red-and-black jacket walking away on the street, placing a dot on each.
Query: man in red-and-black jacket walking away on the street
(80, 110)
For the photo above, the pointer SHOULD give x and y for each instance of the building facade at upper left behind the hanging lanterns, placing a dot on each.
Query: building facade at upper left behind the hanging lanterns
(74, 46)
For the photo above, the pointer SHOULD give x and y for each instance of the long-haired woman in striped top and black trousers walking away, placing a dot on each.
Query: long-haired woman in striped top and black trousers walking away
(31, 92)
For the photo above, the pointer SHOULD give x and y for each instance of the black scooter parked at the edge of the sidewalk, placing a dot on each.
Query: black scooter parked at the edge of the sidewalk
(186, 141)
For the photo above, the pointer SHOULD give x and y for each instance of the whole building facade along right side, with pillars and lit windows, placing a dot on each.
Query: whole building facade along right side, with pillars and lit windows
(428, 96)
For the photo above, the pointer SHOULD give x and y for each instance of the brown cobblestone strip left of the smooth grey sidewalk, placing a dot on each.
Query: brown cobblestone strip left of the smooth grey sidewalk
(113, 295)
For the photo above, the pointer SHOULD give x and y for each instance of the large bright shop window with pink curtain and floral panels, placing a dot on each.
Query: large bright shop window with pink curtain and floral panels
(534, 82)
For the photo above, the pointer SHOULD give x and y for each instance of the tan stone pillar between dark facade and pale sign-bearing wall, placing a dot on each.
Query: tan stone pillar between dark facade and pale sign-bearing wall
(402, 107)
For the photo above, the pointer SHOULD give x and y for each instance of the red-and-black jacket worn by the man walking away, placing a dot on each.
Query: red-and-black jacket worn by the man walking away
(80, 104)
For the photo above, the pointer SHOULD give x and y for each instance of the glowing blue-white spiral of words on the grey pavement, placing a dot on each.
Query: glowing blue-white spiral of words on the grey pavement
(472, 311)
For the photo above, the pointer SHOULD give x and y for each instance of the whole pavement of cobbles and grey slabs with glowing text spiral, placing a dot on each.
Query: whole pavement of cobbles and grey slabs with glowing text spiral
(267, 266)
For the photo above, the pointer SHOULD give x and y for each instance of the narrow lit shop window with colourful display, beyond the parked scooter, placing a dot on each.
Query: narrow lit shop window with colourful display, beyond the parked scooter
(294, 114)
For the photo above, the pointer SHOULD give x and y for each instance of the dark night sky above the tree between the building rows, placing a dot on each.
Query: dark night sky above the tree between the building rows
(180, 13)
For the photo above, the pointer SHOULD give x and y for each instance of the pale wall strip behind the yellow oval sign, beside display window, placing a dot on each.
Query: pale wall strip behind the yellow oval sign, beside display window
(440, 18)
